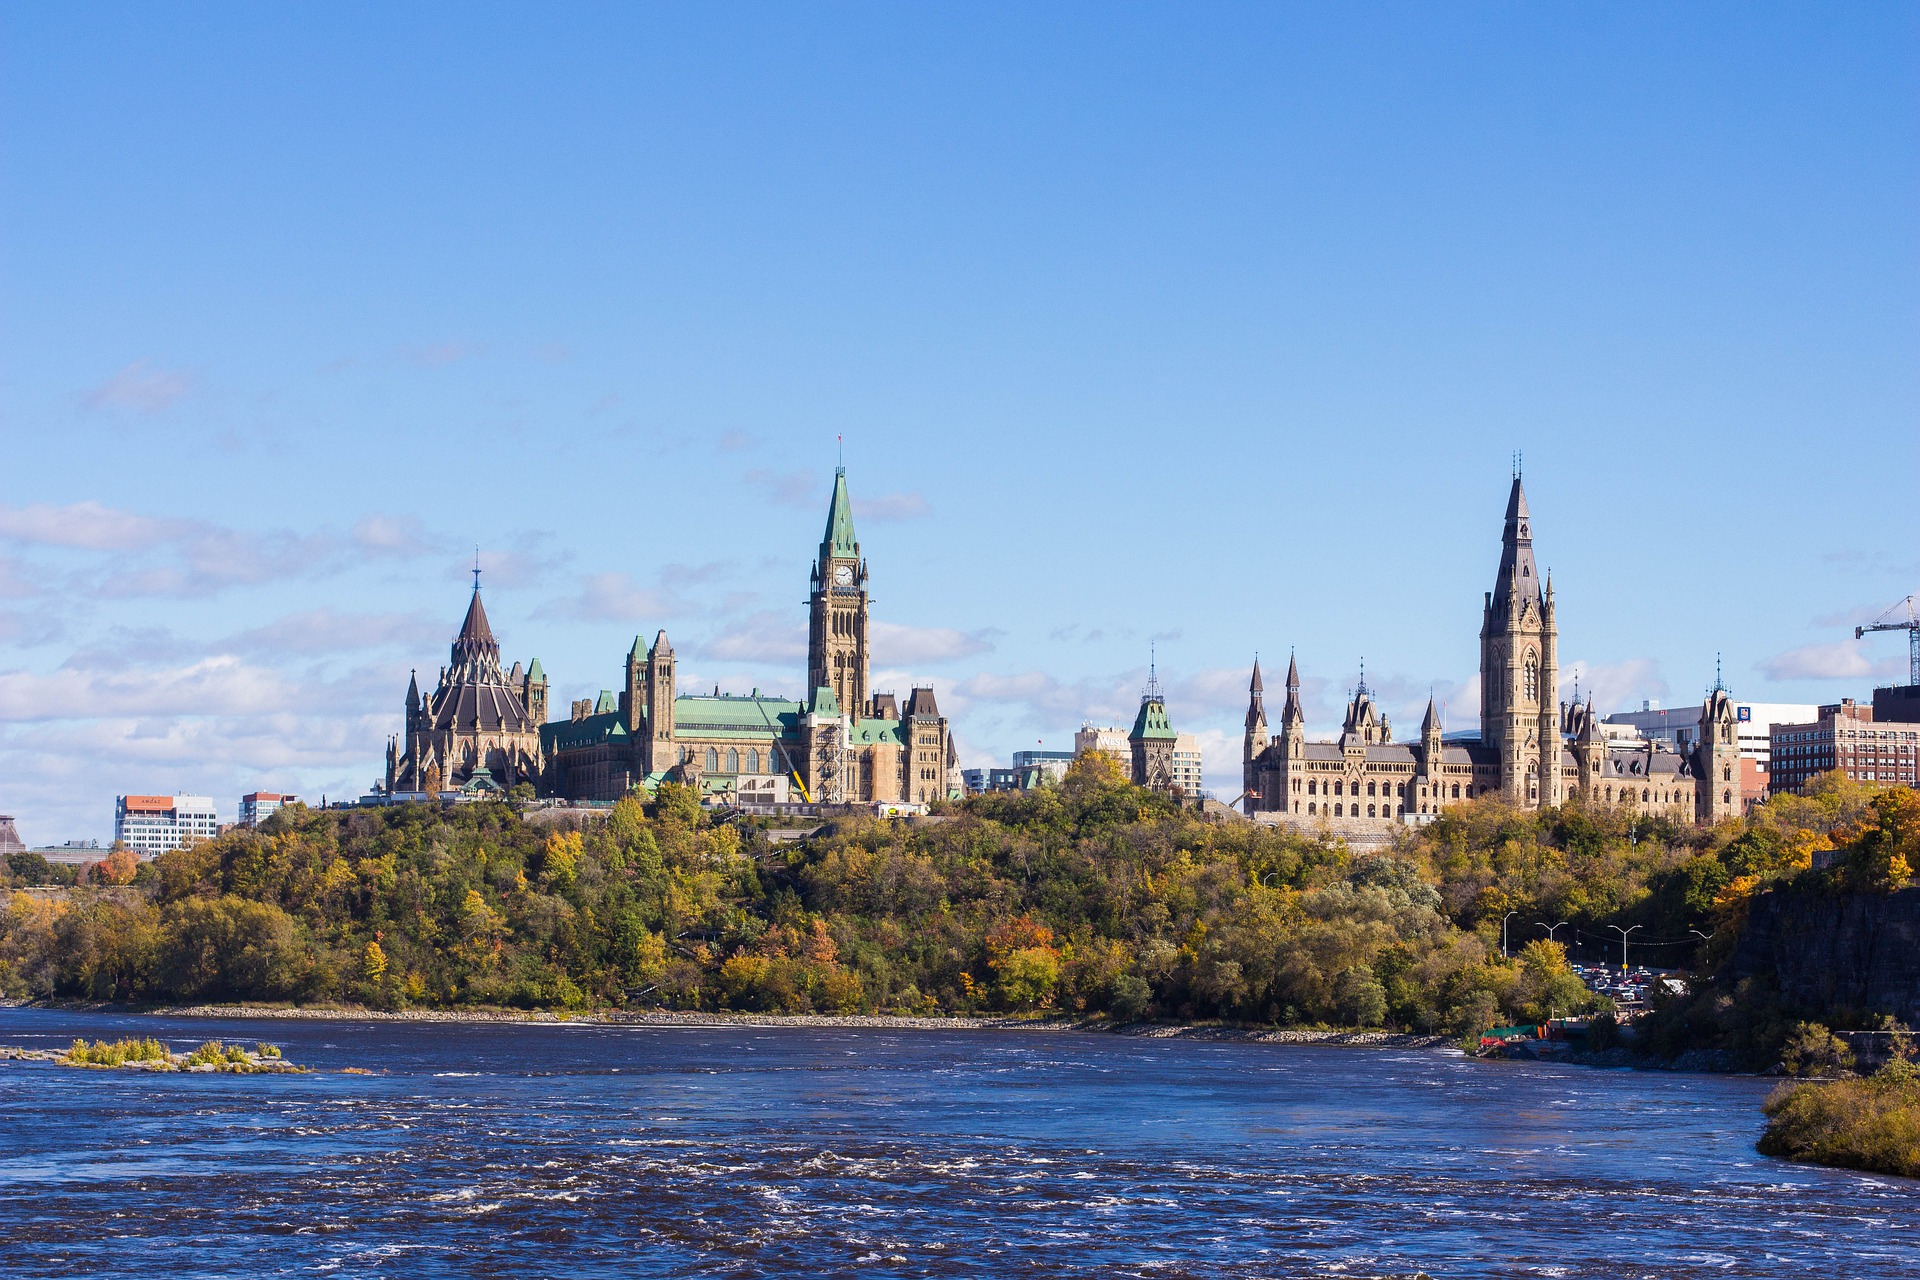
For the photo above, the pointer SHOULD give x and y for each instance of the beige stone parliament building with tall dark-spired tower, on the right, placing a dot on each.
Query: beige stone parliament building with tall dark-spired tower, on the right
(1533, 749)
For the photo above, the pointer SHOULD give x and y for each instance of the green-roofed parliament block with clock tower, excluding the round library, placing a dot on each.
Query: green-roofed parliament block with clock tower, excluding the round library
(842, 746)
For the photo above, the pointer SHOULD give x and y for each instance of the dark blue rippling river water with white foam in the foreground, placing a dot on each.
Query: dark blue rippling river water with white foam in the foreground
(489, 1150)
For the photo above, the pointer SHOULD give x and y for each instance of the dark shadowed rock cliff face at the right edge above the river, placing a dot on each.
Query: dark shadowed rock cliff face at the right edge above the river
(1836, 951)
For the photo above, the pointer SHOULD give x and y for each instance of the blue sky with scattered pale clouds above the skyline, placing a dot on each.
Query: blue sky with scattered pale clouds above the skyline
(1199, 327)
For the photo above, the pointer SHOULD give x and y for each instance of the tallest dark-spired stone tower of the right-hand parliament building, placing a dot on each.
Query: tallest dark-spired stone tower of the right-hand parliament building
(1520, 669)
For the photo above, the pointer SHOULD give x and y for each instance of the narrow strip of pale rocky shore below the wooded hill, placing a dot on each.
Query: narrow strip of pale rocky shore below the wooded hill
(867, 1022)
